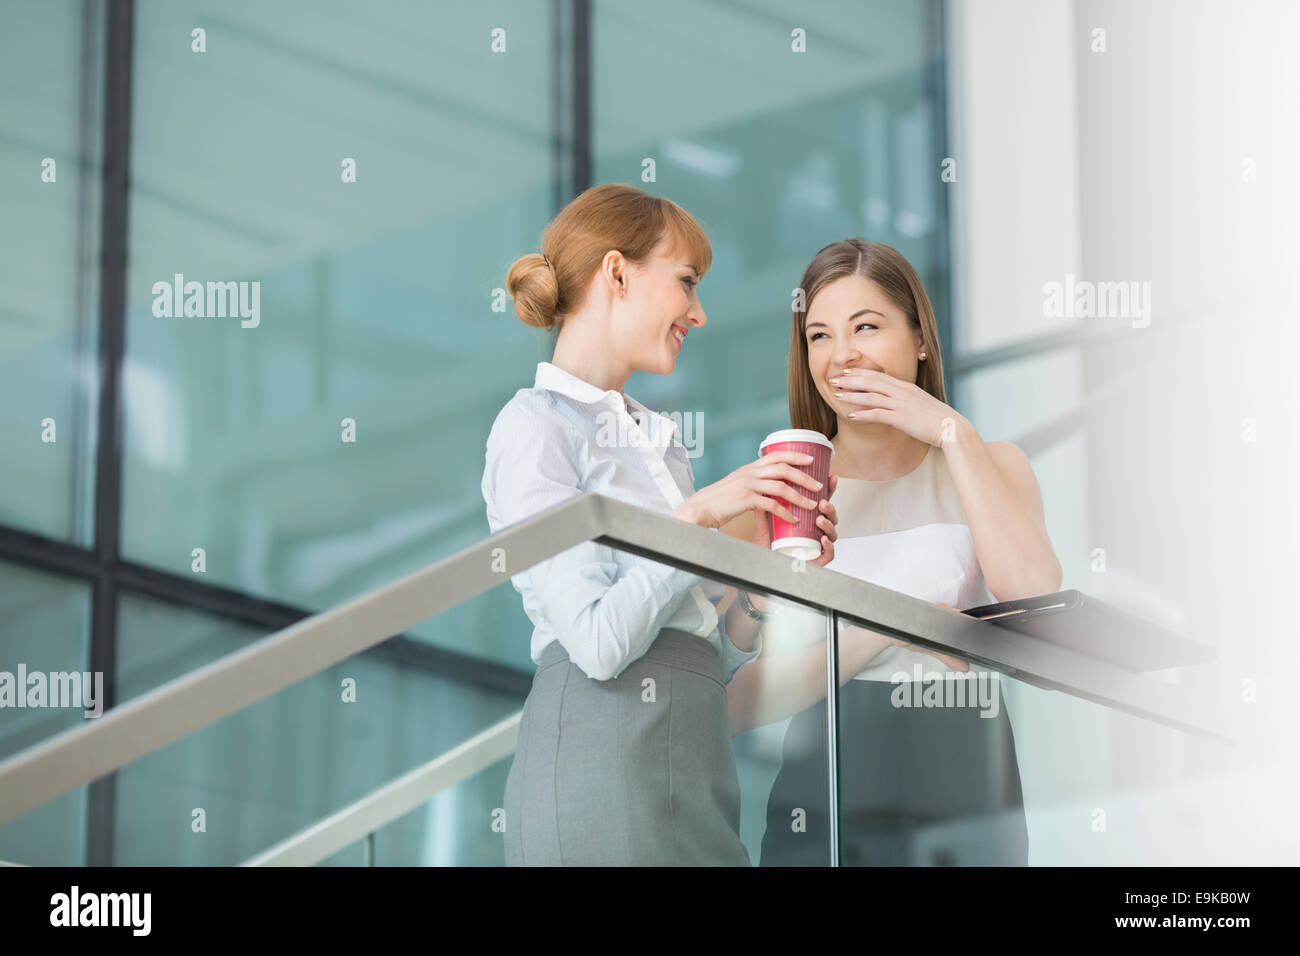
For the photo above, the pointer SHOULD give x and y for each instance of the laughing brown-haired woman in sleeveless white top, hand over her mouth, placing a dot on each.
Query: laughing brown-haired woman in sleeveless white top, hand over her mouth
(925, 508)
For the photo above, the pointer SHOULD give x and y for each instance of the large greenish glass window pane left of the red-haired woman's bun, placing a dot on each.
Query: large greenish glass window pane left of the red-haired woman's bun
(376, 297)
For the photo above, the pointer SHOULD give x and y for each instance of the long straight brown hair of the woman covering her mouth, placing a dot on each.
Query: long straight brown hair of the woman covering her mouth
(887, 269)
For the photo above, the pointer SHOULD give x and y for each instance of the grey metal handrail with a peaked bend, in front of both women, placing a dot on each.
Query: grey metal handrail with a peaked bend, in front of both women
(210, 694)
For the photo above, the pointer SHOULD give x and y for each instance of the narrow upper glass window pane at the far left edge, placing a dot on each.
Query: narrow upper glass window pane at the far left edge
(51, 68)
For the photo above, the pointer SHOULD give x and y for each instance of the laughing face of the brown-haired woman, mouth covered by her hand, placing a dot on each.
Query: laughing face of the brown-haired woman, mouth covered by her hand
(853, 325)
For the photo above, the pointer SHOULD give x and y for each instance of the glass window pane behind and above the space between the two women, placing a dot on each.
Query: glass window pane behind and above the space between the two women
(835, 142)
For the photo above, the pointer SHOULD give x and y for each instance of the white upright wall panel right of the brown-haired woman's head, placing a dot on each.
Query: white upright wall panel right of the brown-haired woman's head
(1016, 205)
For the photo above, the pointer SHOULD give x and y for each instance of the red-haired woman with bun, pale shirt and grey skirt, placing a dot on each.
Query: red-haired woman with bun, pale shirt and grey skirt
(601, 776)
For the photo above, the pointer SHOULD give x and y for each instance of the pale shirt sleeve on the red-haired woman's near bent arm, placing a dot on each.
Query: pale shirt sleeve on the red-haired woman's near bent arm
(605, 617)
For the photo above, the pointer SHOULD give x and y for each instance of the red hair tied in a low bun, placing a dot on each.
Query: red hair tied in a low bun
(552, 285)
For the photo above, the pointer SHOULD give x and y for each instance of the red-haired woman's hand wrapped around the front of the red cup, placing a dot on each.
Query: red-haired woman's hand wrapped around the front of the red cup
(756, 486)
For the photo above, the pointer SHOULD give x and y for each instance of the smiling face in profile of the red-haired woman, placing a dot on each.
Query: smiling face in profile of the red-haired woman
(660, 308)
